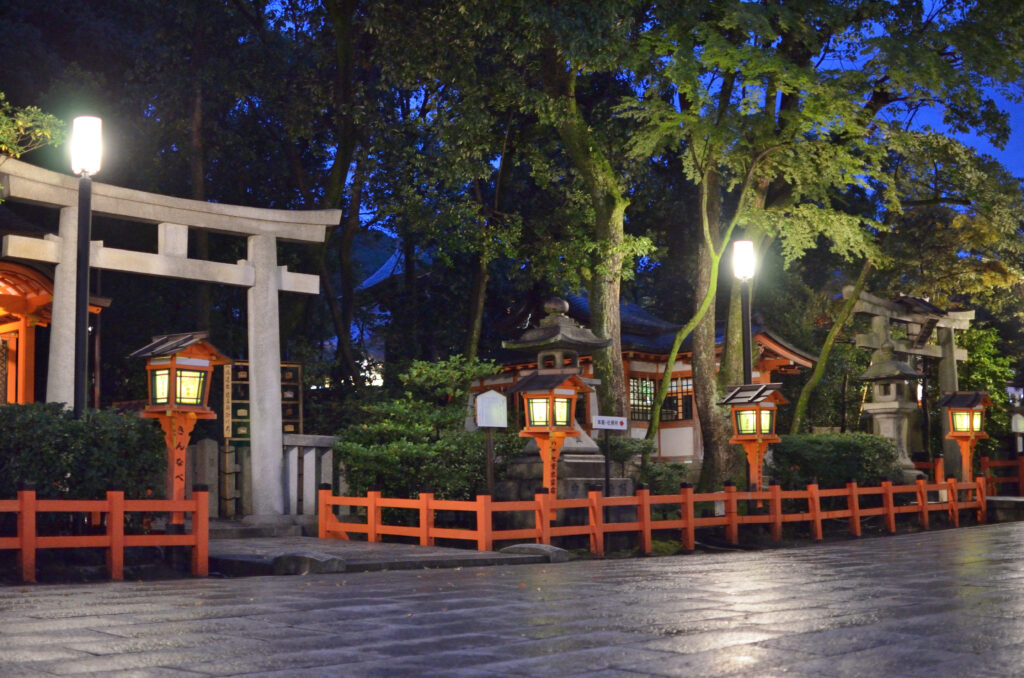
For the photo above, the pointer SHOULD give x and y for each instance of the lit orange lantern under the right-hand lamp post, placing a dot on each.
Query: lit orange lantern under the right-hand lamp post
(754, 410)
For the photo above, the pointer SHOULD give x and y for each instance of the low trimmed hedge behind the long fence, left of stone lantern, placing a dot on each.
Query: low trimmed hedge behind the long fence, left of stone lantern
(833, 460)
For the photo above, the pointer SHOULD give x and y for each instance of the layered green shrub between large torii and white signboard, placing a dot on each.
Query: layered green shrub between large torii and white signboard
(417, 443)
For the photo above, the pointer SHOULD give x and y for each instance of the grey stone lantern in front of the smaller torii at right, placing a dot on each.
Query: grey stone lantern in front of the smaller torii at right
(893, 403)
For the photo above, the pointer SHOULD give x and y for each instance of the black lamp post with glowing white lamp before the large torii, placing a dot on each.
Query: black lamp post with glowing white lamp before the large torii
(87, 153)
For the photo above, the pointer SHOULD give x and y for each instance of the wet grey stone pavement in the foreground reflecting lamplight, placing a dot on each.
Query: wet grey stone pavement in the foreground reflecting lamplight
(941, 604)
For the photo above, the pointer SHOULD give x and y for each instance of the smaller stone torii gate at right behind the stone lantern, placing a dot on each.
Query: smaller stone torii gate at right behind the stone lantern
(926, 331)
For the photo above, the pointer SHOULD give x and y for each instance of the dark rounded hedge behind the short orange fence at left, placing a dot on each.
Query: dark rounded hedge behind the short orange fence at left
(66, 458)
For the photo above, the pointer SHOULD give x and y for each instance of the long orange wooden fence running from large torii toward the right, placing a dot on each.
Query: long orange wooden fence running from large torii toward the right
(921, 499)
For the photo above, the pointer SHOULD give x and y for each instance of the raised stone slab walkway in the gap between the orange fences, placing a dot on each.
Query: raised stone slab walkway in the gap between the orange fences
(309, 556)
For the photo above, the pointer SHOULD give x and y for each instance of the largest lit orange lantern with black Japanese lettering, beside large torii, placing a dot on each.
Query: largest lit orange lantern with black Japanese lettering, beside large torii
(179, 367)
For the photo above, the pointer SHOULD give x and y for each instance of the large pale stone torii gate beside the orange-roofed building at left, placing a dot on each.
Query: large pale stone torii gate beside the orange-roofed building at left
(174, 219)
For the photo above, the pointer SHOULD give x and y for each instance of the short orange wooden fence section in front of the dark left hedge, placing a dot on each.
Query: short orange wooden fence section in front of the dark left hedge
(28, 507)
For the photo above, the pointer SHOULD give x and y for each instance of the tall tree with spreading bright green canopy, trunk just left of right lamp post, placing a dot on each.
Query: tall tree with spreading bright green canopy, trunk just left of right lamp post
(762, 103)
